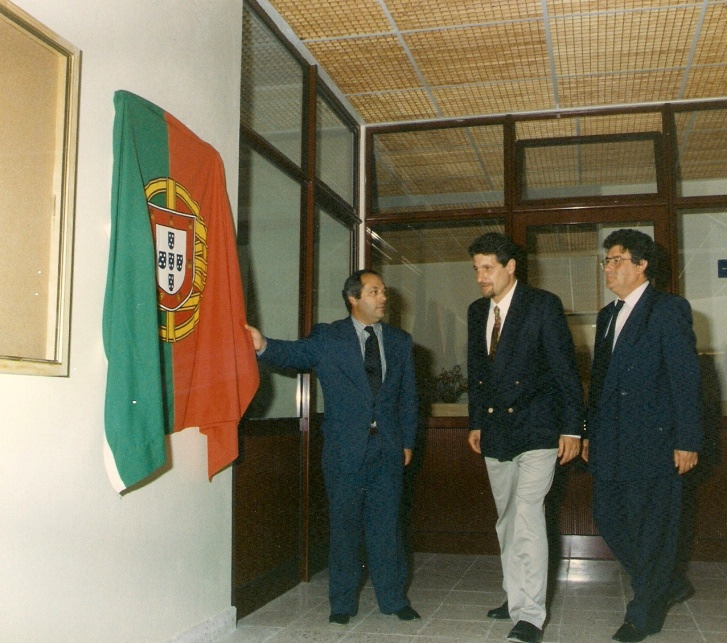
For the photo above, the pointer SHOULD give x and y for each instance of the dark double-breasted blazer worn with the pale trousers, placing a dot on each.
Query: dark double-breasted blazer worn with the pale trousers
(531, 393)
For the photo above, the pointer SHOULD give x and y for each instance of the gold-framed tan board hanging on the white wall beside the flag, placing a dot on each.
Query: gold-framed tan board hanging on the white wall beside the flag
(40, 76)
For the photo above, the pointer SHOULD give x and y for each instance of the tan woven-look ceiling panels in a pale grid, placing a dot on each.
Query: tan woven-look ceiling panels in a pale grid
(410, 60)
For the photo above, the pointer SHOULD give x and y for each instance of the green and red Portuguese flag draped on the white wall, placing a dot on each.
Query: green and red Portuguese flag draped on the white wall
(174, 316)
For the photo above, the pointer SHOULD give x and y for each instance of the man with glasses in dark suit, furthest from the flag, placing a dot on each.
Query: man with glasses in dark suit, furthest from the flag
(644, 428)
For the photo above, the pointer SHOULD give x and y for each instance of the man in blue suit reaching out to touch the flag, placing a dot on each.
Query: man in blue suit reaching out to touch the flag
(369, 430)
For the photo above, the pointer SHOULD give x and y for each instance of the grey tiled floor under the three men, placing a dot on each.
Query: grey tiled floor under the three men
(453, 593)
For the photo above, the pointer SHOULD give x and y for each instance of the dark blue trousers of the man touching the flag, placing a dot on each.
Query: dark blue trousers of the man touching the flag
(365, 503)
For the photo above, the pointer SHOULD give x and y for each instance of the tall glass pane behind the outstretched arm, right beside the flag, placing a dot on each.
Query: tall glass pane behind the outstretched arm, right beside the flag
(269, 248)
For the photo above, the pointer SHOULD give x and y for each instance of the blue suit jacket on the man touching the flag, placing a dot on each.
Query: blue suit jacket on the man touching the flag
(334, 352)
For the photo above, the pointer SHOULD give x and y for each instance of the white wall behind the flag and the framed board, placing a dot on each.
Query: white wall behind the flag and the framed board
(78, 562)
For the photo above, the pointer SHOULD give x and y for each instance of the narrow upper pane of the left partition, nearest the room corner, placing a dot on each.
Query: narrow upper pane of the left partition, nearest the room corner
(336, 151)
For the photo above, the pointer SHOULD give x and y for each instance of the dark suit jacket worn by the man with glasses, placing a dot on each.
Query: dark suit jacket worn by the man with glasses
(647, 403)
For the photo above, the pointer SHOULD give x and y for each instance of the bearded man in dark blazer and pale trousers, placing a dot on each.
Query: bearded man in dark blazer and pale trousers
(525, 412)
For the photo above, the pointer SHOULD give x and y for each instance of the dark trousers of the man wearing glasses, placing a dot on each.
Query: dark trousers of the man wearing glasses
(639, 520)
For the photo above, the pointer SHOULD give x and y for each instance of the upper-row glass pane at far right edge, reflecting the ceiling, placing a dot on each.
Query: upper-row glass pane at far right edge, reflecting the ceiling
(701, 158)
